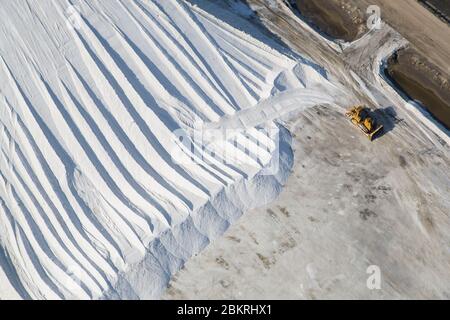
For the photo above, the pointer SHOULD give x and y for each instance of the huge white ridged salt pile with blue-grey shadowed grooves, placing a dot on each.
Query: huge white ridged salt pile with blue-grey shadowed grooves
(92, 101)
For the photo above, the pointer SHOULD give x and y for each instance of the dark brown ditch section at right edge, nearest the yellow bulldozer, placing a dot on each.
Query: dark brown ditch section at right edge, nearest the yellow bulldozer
(420, 81)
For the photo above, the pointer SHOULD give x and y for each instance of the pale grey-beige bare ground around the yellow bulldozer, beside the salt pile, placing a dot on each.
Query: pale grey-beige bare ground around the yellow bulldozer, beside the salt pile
(349, 204)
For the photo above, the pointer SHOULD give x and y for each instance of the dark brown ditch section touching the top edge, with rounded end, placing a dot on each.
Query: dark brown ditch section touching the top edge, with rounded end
(335, 18)
